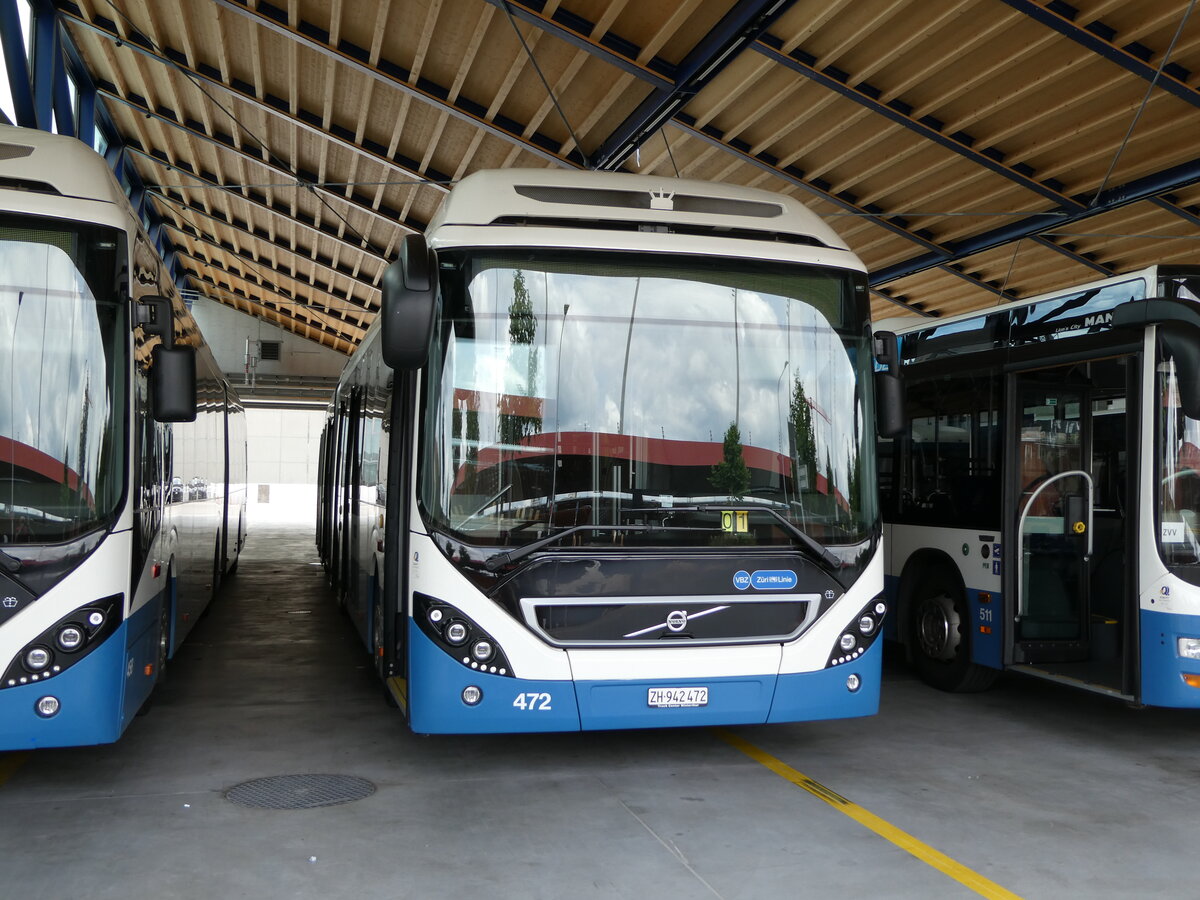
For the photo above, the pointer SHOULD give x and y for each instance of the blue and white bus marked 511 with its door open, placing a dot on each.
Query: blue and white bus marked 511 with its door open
(1043, 499)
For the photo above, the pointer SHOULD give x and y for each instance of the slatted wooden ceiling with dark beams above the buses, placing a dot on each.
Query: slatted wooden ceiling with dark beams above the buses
(928, 136)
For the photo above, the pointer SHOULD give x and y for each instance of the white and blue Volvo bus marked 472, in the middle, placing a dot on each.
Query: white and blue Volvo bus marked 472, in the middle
(607, 461)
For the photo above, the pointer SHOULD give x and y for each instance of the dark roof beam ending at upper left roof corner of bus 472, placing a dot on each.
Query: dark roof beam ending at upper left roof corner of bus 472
(304, 119)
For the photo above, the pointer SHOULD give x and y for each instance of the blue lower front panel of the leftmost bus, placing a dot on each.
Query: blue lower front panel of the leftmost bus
(92, 697)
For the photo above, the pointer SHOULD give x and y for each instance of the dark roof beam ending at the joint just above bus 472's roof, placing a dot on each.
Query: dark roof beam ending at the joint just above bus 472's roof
(395, 76)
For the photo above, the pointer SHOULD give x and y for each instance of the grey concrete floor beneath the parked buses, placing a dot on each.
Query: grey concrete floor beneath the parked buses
(1046, 793)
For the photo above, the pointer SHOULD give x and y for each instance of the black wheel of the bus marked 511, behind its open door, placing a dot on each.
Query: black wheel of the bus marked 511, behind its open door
(941, 639)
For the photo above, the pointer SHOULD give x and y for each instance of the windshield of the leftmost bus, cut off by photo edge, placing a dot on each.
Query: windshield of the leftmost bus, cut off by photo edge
(63, 347)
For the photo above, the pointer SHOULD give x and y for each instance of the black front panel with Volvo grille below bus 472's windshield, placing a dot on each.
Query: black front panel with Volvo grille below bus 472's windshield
(707, 598)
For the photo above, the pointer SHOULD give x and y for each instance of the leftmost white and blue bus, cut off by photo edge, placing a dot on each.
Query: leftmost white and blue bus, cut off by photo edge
(123, 460)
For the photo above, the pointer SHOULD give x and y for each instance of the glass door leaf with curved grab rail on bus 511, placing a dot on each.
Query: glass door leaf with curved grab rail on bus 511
(1054, 517)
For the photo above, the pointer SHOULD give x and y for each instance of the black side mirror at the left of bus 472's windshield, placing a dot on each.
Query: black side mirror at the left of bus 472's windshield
(410, 305)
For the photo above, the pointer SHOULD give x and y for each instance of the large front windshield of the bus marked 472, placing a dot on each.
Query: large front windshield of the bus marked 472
(679, 400)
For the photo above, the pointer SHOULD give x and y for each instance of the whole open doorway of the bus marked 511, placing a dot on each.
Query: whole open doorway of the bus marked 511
(1073, 615)
